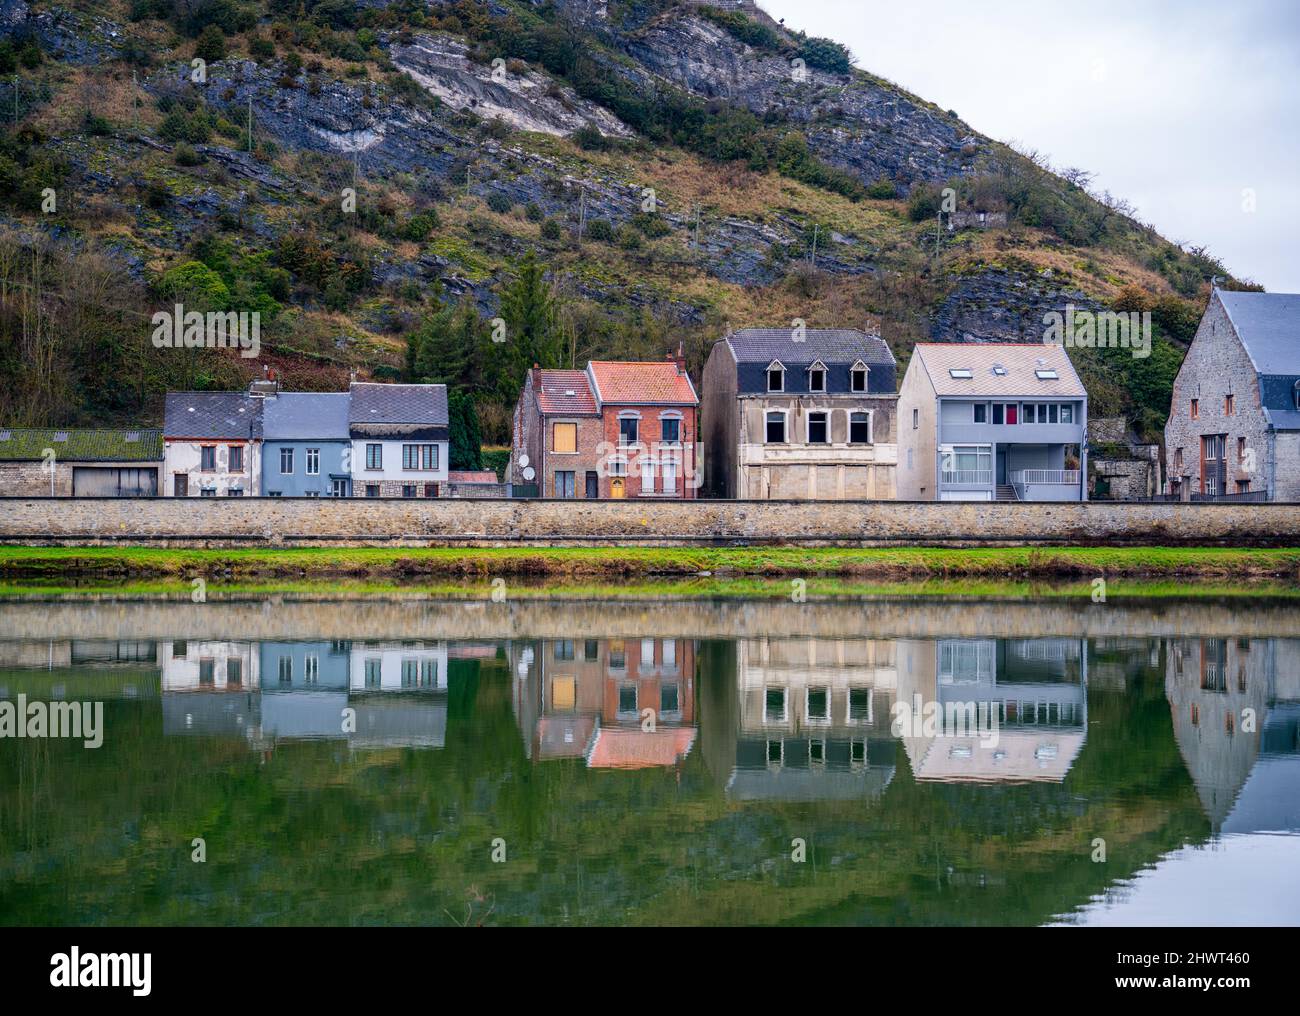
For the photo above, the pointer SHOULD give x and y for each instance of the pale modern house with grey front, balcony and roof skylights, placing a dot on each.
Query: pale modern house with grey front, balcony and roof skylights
(998, 422)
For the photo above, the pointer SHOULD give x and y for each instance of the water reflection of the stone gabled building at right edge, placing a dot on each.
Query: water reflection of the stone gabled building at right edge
(1236, 705)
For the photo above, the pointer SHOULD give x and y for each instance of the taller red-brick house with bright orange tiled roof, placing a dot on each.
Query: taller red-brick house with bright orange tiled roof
(651, 415)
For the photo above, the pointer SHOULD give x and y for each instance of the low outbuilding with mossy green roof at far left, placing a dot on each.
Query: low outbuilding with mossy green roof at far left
(80, 463)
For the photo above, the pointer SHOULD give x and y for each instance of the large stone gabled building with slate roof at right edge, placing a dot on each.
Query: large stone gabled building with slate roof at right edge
(1234, 423)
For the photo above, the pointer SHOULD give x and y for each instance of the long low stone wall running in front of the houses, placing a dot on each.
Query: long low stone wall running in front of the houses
(313, 522)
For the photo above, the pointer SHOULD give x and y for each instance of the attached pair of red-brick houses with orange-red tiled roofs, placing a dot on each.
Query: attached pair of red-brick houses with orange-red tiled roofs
(625, 429)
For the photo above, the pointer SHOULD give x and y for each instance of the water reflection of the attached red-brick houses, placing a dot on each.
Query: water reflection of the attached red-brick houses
(617, 704)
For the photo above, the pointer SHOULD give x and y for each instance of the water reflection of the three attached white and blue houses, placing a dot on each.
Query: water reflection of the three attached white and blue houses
(372, 694)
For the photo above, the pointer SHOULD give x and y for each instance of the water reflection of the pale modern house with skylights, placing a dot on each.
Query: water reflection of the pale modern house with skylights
(1035, 688)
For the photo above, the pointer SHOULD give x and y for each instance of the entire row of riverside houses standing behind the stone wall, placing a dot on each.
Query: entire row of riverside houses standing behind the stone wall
(781, 414)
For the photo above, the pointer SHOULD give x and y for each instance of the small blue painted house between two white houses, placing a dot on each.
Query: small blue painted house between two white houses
(306, 446)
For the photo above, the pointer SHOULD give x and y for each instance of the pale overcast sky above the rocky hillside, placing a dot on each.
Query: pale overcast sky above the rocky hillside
(1178, 106)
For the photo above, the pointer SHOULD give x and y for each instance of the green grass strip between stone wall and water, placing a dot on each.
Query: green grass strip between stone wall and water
(1224, 565)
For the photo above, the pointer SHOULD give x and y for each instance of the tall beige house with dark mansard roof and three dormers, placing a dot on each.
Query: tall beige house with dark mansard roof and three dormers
(800, 415)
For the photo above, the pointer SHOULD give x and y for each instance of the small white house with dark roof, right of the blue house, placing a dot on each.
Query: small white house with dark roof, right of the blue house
(401, 440)
